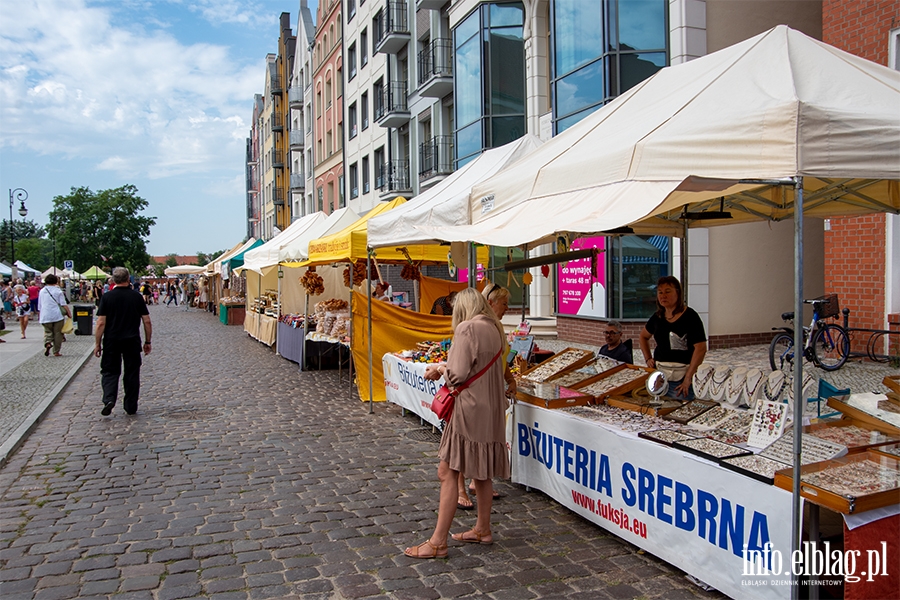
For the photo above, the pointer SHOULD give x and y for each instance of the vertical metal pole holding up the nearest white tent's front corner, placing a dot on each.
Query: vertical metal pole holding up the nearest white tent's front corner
(797, 507)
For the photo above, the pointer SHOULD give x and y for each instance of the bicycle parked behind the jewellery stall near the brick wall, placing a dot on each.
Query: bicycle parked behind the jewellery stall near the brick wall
(826, 345)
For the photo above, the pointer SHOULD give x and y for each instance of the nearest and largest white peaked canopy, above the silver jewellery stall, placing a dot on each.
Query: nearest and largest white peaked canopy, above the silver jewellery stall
(709, 133)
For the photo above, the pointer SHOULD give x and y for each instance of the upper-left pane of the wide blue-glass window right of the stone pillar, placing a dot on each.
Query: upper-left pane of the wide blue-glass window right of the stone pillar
(581, 22)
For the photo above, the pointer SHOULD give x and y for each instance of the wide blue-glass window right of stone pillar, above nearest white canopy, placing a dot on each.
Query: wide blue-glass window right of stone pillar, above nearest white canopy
(601, 50)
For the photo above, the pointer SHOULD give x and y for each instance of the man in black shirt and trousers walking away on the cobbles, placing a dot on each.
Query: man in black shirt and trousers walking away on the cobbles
(118, 340)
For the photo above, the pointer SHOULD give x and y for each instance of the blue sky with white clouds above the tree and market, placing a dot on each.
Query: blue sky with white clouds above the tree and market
(155, 93)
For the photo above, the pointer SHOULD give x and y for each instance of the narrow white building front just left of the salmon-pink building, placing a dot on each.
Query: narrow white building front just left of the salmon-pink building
(300, 99)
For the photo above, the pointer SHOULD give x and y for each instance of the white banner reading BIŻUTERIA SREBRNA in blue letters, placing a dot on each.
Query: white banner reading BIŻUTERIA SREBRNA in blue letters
(690, 512)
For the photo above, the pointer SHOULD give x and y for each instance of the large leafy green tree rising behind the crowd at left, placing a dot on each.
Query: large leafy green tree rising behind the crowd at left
(104, 228)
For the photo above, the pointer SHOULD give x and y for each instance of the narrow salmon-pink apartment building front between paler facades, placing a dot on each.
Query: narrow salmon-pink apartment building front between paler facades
(328, 117)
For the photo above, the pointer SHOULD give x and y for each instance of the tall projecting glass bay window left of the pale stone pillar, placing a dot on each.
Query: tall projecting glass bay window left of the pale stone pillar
(489, 63)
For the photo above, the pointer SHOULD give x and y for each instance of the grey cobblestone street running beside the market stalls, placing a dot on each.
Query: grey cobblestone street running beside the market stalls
(242, 477)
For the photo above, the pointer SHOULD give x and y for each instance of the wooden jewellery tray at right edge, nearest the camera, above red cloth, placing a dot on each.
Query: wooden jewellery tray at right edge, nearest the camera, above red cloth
(851, 484)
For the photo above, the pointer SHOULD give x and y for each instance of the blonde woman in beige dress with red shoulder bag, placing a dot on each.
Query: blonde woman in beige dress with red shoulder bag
(474, 441)
